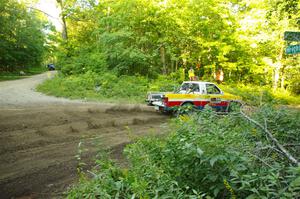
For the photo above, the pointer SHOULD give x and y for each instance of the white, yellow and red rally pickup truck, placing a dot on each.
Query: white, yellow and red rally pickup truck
(196, 94)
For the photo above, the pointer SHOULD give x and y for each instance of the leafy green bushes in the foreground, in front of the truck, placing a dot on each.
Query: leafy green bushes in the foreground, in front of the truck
(205, 155)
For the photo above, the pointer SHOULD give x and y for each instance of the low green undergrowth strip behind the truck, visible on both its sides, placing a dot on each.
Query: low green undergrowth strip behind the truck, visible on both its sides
(108, 87)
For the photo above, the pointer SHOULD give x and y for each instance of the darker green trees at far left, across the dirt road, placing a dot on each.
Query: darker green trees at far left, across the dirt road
(21, 37)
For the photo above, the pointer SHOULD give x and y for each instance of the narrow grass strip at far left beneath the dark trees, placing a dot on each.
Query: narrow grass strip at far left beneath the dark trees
(5, 76)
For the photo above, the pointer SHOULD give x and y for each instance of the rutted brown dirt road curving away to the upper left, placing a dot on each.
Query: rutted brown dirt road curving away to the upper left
(40, 135)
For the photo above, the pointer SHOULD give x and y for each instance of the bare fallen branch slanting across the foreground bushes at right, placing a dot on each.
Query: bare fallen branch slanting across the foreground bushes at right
(272, 138)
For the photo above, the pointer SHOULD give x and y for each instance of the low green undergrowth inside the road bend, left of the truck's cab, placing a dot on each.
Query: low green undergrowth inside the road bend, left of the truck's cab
(105, 87)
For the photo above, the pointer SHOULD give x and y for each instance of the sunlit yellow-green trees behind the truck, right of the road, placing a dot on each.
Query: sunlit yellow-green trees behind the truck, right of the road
(153, 37)
